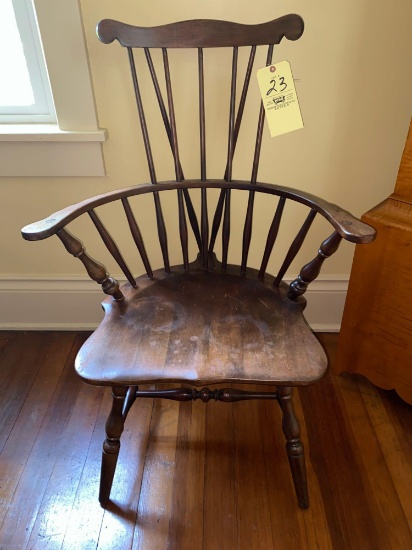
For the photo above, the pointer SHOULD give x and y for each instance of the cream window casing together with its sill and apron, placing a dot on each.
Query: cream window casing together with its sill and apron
(73, 147)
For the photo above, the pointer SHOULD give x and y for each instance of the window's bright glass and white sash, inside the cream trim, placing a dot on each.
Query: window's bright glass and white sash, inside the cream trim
(25, 94)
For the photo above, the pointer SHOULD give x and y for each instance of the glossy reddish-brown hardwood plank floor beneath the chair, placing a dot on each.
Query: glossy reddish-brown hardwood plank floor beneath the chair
(195, 476)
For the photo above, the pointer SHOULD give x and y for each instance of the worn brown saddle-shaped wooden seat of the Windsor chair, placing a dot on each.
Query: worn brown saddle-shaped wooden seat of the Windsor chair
(202, 327)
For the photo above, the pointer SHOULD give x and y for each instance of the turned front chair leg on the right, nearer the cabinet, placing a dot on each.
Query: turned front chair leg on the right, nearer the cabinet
(294, 446)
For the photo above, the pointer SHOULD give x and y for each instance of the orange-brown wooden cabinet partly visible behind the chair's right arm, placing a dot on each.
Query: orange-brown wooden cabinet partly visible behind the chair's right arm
(376, 333)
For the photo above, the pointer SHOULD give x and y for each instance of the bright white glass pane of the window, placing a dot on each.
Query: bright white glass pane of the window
(15, 89)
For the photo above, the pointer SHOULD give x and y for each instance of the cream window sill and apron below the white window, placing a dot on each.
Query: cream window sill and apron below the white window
(45, 150)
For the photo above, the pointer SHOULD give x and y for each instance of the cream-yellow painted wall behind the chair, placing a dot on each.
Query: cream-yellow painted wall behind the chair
(352, 67)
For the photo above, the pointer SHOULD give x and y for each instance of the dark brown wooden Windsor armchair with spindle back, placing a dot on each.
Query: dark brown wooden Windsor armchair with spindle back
(204, 322)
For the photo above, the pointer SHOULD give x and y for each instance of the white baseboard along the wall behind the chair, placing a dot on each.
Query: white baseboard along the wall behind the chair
(73, 303)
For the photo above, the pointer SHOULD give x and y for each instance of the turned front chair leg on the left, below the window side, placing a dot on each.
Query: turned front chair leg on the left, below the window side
(111, 445)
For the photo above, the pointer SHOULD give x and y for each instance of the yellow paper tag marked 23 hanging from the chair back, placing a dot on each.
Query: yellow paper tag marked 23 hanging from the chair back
(279, 98)
